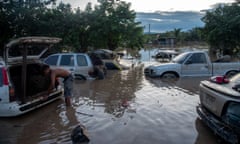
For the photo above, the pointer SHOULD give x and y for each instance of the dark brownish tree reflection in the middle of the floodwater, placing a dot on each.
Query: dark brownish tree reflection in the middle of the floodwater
(115, 94)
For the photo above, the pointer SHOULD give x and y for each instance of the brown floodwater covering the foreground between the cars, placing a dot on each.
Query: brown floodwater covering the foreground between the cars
(125, 108)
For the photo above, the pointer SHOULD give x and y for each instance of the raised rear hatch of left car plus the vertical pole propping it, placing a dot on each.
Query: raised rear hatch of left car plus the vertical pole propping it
(21, 50)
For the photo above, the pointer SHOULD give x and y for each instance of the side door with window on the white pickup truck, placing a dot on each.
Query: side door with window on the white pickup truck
(195, 65)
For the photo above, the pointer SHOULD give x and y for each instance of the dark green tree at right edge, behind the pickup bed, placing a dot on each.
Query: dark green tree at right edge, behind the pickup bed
(222, 28)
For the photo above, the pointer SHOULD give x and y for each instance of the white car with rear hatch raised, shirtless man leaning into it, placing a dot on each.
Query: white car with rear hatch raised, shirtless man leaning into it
(23, 87)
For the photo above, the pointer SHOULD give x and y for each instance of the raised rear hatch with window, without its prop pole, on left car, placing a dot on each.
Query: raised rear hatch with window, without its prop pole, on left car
(35, 47)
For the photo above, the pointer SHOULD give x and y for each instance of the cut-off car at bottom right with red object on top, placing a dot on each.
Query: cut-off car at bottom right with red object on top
(219, 106)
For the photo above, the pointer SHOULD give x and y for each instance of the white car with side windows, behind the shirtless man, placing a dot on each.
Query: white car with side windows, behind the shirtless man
(79, 64)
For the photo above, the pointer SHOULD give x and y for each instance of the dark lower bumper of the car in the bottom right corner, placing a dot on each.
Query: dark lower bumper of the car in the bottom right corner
(217, 126)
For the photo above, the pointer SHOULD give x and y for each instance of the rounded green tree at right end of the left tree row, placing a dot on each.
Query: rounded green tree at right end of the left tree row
(114, 23)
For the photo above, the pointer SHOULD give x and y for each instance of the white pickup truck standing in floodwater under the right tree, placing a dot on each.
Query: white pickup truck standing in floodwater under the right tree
(193, 63)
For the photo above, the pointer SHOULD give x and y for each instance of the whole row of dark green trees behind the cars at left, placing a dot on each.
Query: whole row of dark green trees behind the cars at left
(110, 25)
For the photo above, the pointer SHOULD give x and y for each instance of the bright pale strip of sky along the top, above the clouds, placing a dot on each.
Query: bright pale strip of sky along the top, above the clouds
(158, 5)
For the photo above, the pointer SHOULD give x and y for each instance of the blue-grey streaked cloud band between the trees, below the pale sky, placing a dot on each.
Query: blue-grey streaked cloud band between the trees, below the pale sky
(167, 21)
